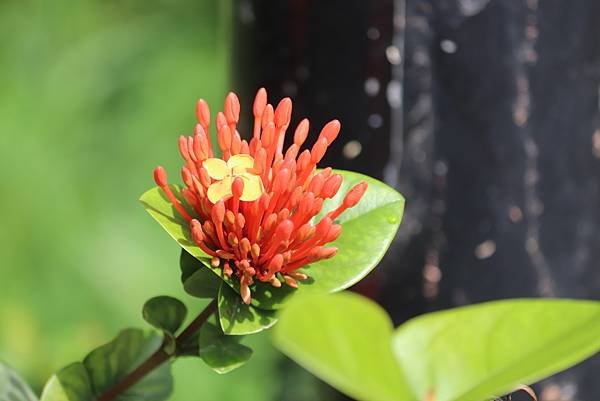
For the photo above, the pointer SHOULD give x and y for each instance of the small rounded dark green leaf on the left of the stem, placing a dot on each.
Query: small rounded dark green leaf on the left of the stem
(167, 314)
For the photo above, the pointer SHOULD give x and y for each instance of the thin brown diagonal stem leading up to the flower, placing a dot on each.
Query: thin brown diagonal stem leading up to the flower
(159, 357)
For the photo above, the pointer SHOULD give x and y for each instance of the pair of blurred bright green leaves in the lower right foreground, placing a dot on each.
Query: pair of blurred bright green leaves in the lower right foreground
(471, 353)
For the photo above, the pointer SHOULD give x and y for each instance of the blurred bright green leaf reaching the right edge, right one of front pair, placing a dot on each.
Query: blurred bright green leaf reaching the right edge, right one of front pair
(478, 352)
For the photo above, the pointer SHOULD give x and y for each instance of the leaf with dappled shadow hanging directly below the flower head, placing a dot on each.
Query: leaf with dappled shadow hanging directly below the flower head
(237, 318)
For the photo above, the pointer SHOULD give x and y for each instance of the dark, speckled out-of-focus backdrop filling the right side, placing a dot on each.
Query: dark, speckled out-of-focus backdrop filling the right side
(484, 114)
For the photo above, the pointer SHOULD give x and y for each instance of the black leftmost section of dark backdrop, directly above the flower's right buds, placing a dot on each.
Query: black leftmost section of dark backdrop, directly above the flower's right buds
(330, 58)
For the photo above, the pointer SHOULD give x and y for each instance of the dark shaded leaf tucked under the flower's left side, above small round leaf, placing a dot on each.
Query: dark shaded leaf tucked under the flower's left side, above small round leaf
(197, 279)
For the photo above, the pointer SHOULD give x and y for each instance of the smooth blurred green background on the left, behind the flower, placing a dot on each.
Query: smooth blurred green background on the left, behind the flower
(93, 94)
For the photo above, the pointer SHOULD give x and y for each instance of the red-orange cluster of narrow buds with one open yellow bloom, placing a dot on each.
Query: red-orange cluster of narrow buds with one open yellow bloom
(255, 207)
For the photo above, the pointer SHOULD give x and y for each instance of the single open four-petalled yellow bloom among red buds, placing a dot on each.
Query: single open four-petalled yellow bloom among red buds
(225, 172)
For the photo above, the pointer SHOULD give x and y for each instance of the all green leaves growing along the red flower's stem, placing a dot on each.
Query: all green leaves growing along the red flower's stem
(217, 342)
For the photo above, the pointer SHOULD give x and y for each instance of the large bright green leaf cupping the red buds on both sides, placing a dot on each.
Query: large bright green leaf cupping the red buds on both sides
(368, 230)
